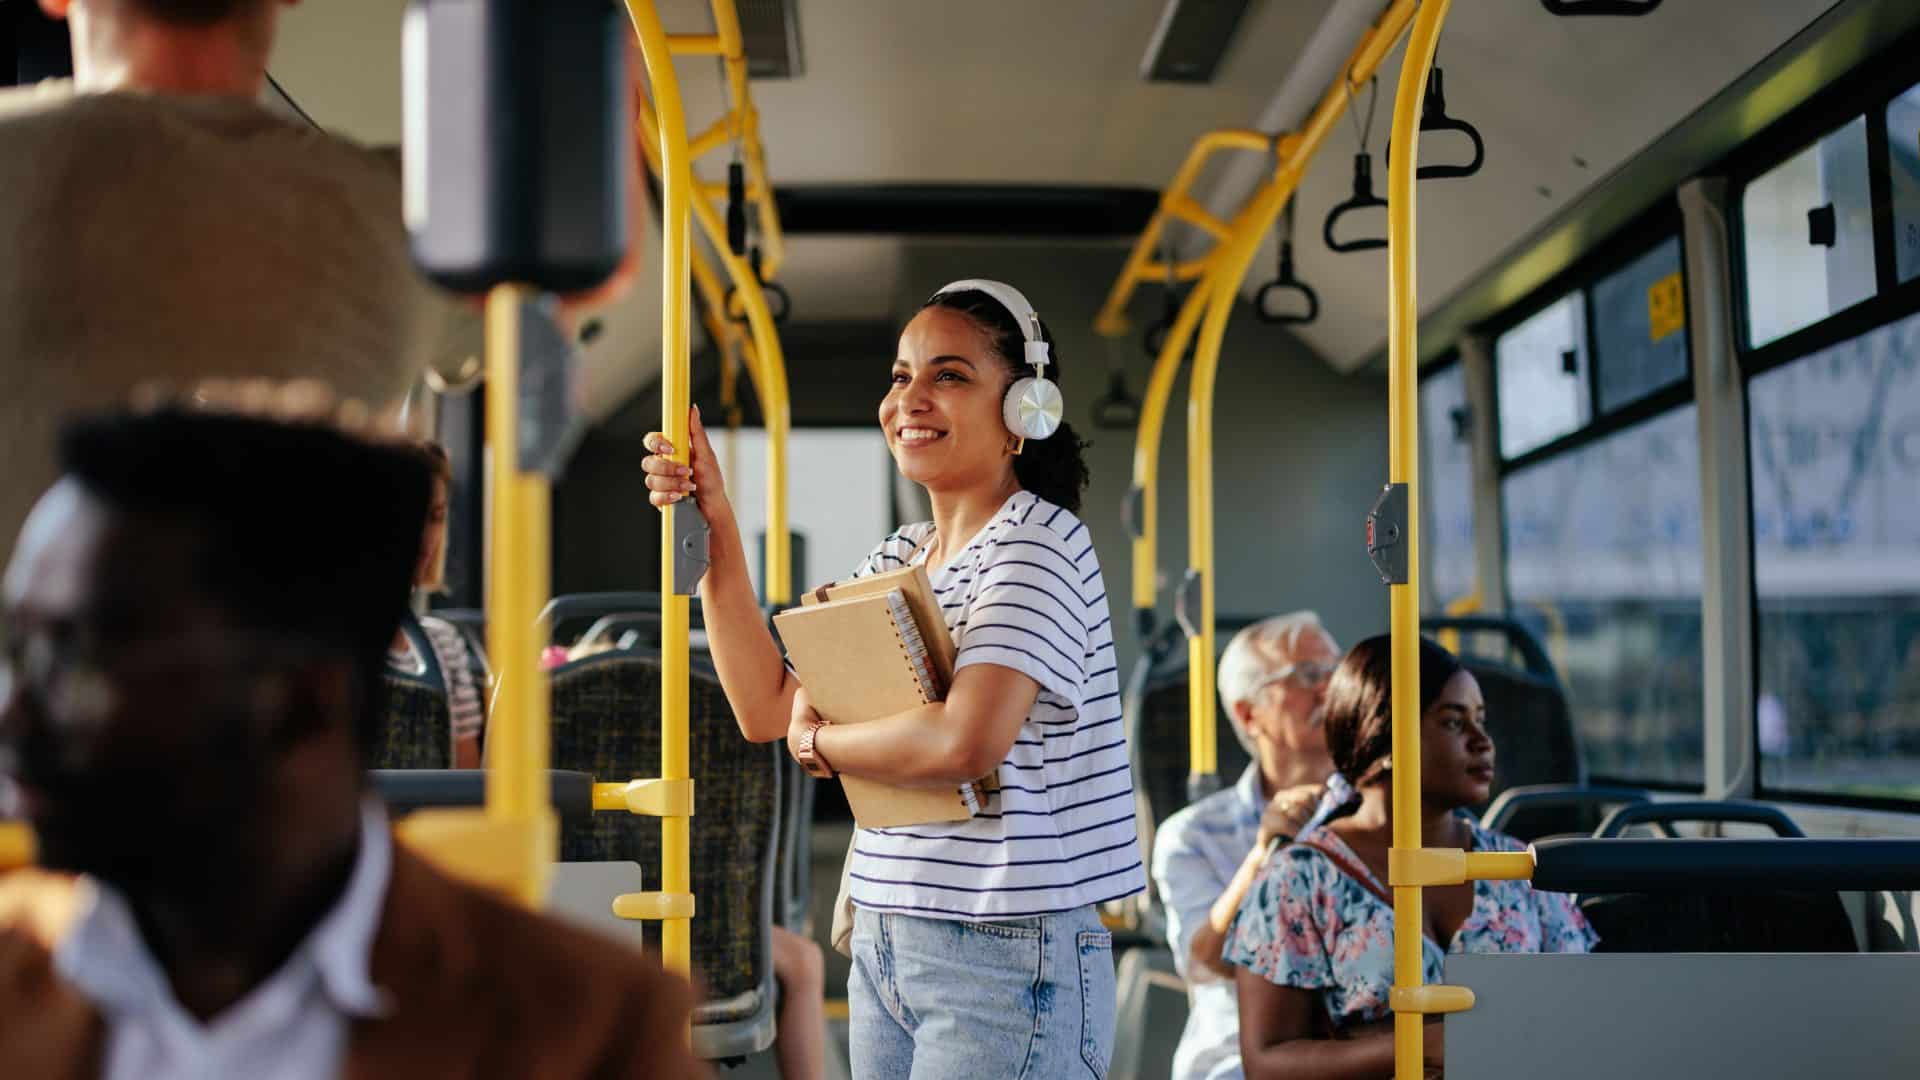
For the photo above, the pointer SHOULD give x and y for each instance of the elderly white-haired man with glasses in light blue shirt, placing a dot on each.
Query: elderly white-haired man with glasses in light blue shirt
(1272, 681)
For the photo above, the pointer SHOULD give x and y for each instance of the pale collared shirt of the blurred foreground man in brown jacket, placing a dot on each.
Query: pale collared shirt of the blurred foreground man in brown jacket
(293, 1027)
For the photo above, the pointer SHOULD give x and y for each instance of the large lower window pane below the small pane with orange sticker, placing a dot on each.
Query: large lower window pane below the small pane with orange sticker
(1610, 576)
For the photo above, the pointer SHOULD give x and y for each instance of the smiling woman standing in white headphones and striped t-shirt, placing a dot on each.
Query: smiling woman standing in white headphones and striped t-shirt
(961, 920)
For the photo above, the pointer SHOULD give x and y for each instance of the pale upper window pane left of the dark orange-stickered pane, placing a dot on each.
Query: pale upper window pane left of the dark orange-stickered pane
(1543, 378)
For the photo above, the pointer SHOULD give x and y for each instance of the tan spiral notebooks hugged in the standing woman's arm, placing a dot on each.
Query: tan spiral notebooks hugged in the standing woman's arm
(875, 649)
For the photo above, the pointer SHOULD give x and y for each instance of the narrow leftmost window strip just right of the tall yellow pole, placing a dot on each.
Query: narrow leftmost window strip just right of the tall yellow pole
(1449, 499)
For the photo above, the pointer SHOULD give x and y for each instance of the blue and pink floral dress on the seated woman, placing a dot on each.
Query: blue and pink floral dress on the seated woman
(1310, 925)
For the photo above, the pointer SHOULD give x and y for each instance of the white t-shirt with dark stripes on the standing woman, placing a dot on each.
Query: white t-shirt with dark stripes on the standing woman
(1059, 835)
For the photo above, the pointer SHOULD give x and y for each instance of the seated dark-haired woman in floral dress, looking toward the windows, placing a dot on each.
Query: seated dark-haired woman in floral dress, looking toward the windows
(1314, 939)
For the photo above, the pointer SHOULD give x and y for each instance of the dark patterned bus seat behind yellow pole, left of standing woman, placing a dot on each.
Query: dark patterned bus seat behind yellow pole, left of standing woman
(608, 724)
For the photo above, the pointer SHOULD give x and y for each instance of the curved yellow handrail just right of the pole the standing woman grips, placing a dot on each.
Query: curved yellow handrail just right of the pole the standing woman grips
(767, 366)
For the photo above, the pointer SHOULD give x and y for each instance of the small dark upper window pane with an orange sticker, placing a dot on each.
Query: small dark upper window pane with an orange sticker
(1641, 328)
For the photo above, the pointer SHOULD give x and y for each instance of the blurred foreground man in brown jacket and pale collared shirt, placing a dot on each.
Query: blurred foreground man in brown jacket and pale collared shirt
(199, 616)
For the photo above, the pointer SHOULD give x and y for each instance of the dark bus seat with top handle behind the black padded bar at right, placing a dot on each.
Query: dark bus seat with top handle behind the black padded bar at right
(1777, 921)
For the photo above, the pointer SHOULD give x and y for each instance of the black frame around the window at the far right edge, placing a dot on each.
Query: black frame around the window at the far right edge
(1861, 93)
